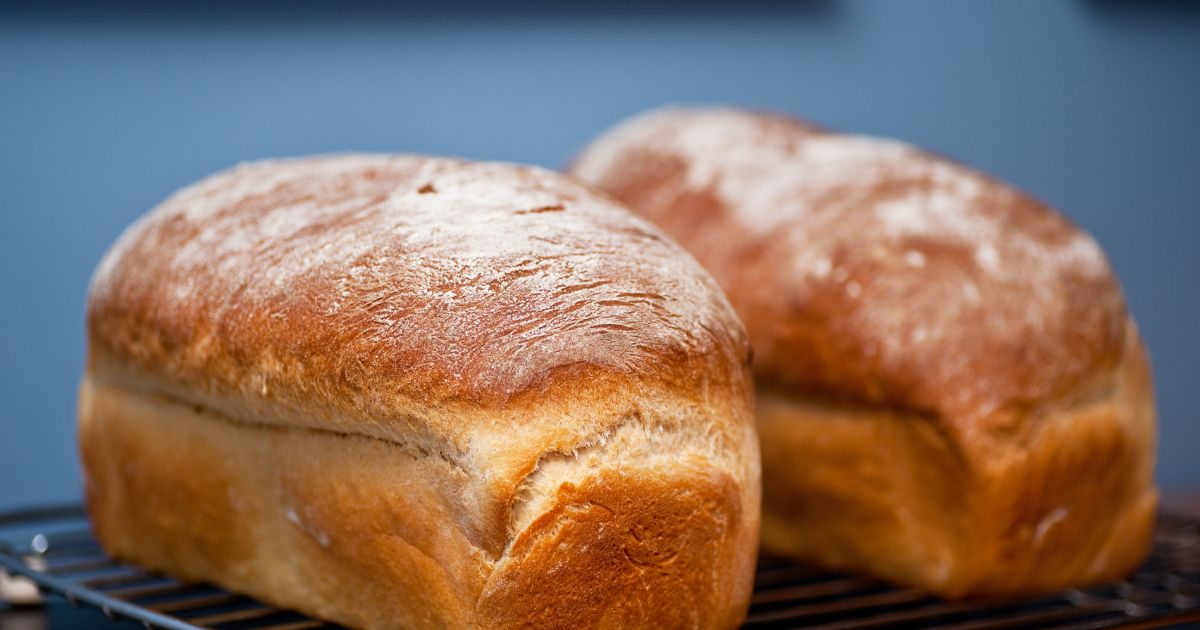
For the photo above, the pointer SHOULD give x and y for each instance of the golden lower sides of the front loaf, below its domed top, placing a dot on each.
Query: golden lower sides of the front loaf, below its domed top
(364, 532)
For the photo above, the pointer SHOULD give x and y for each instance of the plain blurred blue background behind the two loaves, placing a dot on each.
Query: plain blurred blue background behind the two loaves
(1091, 106)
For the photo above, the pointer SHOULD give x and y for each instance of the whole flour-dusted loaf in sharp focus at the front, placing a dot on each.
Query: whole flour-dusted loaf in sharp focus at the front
(401, 392)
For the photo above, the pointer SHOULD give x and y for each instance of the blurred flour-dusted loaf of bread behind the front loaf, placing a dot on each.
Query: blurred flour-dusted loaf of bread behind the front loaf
(952, 393)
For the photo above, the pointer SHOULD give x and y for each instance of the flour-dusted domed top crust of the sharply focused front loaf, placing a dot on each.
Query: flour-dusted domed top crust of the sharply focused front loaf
(353, 290)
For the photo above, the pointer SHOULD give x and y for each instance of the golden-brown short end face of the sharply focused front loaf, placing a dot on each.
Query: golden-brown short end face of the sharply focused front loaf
(663, 536)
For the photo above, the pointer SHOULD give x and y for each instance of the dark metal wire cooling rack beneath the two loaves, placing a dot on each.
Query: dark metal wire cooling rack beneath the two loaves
(52, 551)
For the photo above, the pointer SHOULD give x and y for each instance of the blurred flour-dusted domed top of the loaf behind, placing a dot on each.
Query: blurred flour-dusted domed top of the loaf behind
(868, 271)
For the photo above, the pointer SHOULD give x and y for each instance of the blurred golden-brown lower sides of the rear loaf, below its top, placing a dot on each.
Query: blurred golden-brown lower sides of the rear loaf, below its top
(1067, 502)
